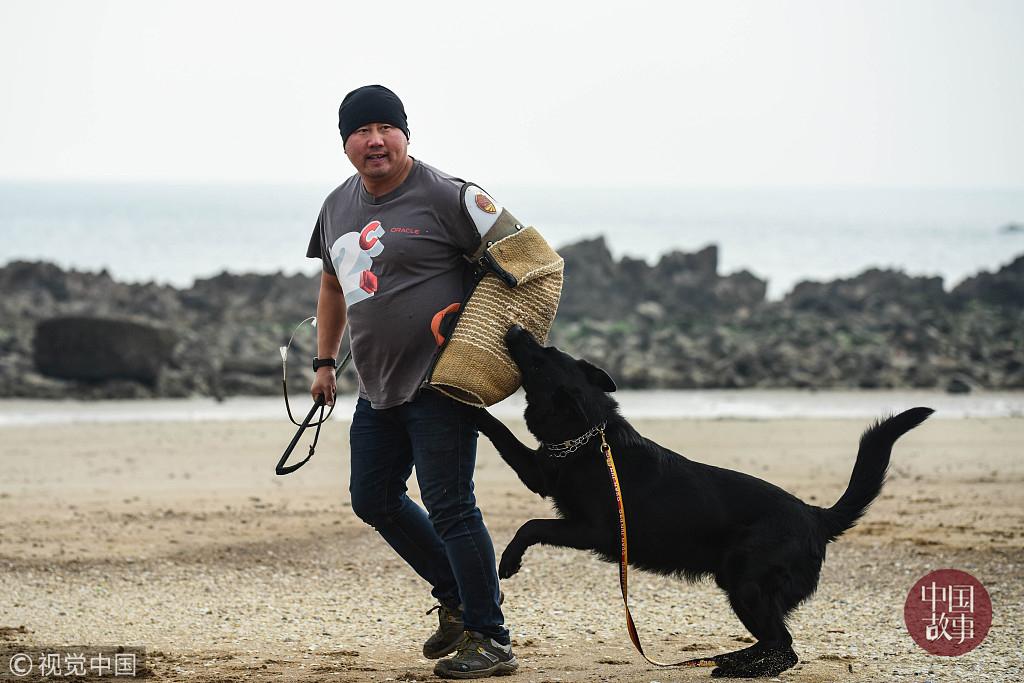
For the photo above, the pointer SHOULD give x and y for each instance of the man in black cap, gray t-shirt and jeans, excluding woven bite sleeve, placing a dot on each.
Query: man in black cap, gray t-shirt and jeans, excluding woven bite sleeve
(394, 241)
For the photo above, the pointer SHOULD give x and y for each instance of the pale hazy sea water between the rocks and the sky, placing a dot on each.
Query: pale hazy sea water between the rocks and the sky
(175, 234)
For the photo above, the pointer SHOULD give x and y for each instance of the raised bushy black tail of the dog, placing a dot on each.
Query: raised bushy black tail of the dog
(870, 471)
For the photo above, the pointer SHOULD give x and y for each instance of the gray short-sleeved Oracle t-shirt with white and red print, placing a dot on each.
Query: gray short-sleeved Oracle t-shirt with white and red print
(401, 260)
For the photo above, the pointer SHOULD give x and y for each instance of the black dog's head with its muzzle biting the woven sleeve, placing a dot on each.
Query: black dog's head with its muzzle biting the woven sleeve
(566, 397)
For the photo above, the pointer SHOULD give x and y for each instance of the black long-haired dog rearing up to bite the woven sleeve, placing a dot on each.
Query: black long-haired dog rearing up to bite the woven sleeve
(763, 546)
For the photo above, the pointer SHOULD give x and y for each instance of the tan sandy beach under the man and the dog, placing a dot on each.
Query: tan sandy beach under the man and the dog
(179, 537)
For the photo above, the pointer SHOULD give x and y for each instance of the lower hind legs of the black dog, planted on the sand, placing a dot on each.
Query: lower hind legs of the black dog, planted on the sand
(761, 614)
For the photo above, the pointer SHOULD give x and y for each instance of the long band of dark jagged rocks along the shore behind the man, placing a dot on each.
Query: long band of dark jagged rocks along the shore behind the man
(678, 324)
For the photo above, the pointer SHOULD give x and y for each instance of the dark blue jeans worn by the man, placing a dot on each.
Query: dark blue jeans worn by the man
(448, 545)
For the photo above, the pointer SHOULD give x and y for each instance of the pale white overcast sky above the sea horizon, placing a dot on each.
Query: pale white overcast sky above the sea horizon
(574, 94)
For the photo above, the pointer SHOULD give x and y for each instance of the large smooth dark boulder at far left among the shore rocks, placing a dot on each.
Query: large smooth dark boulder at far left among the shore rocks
(101, 350)
